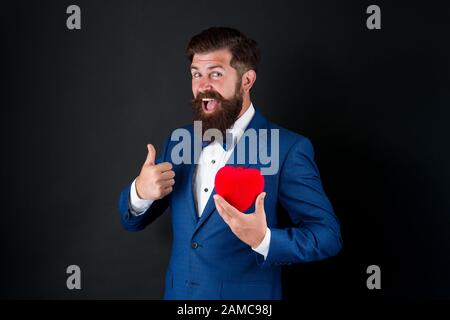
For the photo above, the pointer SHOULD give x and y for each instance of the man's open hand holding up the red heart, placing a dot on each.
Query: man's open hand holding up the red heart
(250, 228)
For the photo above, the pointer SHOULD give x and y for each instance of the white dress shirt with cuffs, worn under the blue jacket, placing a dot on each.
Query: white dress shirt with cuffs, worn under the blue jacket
(212, 158)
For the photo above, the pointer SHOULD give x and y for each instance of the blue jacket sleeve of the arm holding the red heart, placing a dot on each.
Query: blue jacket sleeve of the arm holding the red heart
(316, 232)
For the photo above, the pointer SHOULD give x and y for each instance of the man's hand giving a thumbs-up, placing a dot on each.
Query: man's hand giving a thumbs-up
(155, 181)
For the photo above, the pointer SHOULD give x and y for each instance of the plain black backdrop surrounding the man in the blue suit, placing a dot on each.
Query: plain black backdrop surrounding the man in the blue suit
(79, 107)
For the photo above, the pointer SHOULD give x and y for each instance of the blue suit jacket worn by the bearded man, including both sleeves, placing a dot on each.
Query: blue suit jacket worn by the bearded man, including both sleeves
(209, 262)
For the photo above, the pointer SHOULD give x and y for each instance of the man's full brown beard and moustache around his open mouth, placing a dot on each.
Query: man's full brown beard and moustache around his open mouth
(224, 116)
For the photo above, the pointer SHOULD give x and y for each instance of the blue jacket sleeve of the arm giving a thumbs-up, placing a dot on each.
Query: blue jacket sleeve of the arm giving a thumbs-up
(132, 222)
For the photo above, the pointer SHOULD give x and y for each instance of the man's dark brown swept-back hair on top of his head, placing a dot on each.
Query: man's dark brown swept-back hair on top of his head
(245, 51)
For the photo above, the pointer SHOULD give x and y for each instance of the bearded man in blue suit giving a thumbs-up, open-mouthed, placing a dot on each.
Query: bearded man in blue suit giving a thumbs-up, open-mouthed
(219, 252)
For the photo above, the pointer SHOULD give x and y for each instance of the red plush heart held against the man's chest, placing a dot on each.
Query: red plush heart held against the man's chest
(239, 186)
